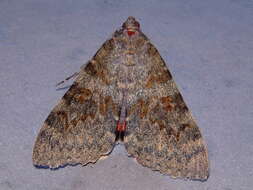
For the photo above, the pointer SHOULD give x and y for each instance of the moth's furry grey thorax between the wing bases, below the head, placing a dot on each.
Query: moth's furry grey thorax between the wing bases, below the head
(130, 63)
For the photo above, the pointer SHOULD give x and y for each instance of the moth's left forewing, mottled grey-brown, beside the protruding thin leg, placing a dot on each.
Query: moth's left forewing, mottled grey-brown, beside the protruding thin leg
(80, 128)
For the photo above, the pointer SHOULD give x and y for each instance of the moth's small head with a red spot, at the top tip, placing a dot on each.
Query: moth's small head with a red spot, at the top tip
(131, 26)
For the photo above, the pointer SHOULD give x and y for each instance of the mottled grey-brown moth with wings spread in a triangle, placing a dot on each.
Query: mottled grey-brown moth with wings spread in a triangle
(124, 93)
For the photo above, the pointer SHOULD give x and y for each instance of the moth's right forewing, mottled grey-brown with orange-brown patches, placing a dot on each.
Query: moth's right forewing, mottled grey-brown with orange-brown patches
(161, 132)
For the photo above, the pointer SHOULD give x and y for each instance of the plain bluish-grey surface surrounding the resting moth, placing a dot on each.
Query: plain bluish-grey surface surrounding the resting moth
(208, 46)
